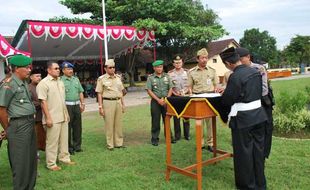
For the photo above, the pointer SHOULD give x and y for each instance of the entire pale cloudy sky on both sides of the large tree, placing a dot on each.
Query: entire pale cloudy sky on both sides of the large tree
(283, 19)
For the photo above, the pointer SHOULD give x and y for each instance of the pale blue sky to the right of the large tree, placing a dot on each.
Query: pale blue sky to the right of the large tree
(283, 19)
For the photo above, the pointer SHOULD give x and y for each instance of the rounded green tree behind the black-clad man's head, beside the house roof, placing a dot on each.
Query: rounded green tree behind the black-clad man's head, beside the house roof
(261, 45)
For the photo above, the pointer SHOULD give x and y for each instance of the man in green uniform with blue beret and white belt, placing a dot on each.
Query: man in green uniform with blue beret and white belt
(75, 105)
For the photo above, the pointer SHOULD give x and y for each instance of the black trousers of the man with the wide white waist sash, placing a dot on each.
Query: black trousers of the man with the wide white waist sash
(248, 146)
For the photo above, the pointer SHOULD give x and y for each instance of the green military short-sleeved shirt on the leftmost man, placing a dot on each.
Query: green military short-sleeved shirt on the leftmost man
(15, 96)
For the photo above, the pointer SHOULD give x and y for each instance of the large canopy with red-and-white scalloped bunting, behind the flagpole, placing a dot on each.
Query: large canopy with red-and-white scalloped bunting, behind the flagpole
(50, 40)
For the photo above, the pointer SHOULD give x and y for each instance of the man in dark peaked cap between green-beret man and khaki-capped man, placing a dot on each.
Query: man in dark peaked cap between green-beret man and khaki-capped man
(179, 77)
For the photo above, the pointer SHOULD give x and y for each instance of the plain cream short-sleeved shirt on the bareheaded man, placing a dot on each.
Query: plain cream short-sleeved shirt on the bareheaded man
(53, 92)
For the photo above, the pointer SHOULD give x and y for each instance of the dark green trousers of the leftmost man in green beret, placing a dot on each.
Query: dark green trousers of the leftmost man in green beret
(22, 150)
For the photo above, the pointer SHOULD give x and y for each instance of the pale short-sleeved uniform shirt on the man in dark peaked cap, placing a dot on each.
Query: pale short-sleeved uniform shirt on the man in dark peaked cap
(179, 80)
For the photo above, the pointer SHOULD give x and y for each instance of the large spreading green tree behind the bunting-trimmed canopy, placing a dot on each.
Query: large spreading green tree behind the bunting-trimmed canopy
(181, 26)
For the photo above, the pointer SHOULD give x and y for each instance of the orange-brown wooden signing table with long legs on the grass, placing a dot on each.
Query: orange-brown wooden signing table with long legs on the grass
(197, 109)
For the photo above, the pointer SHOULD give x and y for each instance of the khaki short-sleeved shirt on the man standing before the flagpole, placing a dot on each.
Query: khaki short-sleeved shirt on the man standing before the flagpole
(110, 86)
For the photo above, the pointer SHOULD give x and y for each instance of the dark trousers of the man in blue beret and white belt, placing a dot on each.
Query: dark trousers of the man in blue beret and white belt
(74, 127)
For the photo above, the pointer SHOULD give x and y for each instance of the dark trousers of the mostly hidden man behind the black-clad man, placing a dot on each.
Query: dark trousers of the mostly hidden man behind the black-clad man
(268, 130)
